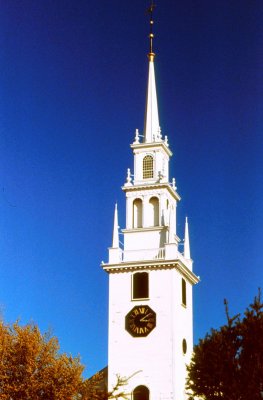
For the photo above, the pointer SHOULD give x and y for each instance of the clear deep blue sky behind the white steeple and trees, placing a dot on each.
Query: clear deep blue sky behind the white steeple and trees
(72, 91)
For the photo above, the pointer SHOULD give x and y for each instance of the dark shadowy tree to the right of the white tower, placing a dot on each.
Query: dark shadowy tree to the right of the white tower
(228, 363)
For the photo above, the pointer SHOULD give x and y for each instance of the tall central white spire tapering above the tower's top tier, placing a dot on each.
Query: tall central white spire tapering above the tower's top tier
(151, 123)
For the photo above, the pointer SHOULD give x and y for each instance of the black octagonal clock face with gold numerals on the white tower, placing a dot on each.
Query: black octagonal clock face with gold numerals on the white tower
(140, 321)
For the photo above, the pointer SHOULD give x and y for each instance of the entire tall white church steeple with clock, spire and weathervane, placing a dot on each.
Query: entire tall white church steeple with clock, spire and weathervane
(150, 280)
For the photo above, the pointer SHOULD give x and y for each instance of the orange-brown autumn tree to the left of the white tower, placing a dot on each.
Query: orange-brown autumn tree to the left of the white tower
(32, 368)
